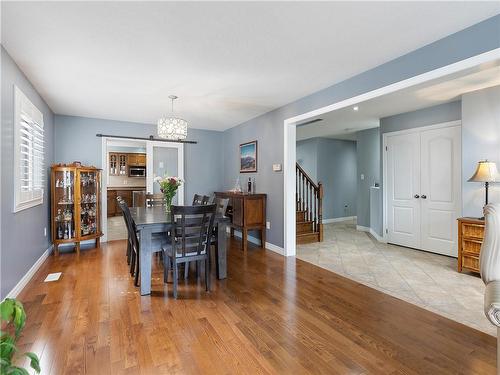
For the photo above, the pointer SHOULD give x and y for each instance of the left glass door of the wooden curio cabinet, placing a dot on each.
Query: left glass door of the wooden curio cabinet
(64, 201)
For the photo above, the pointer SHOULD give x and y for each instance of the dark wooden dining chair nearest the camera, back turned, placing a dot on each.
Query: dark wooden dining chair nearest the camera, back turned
(190, 239)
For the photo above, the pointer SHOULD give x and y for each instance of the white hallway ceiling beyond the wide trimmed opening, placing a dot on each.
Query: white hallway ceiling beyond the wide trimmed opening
(345, 122)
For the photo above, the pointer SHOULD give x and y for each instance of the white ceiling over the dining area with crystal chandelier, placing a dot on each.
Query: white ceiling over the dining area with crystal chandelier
(227, 61)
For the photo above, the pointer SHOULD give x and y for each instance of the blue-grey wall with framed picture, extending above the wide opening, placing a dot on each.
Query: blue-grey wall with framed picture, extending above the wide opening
(268, 128)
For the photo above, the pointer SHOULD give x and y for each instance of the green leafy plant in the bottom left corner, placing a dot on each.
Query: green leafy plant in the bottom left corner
(13, 319)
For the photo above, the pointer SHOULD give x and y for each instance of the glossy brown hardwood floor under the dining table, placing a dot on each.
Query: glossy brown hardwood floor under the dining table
(271, 316)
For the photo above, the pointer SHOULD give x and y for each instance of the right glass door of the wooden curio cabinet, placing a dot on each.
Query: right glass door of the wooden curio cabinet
(89, 190)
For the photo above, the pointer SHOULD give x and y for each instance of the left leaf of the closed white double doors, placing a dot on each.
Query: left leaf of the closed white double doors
(403, 187)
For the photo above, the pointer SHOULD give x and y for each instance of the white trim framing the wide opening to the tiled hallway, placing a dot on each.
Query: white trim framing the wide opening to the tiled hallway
(289, 124)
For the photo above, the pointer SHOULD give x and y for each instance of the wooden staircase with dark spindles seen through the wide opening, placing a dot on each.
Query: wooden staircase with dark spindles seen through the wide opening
(309, 213)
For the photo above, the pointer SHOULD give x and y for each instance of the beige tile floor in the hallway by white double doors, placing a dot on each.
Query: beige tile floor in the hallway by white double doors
(424, 279)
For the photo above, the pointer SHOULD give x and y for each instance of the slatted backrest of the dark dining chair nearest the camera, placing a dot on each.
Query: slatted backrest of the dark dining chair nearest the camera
(191, 229)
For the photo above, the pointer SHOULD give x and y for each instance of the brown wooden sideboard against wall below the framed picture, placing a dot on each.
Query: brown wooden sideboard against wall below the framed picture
(247, 212)
